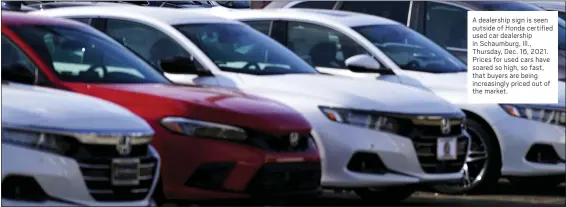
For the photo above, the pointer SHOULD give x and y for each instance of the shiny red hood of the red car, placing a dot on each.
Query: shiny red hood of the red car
(156, 101)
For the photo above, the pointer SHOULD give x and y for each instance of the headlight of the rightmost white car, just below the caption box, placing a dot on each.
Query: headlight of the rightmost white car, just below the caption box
(537, 113)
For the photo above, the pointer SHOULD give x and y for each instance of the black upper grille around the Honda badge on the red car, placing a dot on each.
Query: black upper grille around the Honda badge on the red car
(279, 143)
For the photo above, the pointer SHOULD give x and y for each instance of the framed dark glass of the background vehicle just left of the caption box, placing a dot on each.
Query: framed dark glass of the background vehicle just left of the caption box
(432, 19)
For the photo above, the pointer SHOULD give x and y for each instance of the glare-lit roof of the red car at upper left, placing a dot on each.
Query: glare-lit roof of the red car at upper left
(12, 18)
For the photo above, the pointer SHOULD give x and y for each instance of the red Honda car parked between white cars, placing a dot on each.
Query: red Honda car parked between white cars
(213, 143)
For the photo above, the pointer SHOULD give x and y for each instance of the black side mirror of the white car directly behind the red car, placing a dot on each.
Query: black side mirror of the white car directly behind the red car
(182, 65)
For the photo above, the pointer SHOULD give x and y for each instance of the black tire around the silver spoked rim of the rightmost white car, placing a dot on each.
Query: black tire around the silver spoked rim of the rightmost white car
(492, 166)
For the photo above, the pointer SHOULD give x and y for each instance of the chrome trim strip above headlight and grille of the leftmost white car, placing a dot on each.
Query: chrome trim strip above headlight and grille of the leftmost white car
(98, 137)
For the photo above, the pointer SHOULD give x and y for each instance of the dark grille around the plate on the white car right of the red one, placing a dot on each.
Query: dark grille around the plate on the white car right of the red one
(425, 135)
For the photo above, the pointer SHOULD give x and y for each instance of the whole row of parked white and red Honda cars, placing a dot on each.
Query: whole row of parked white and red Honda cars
(210, 102)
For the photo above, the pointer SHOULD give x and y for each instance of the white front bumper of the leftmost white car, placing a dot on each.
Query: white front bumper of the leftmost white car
(59, 177)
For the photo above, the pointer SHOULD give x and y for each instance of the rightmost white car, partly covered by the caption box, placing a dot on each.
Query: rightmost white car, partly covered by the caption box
(522, 142)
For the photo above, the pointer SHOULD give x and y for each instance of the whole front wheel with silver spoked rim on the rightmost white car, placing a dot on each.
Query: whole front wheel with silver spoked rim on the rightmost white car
(483, 164)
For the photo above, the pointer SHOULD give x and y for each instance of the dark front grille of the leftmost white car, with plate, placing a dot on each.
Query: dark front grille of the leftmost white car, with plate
(137, 170)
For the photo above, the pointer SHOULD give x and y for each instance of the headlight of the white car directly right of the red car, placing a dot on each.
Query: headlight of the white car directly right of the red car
(366, 119)
